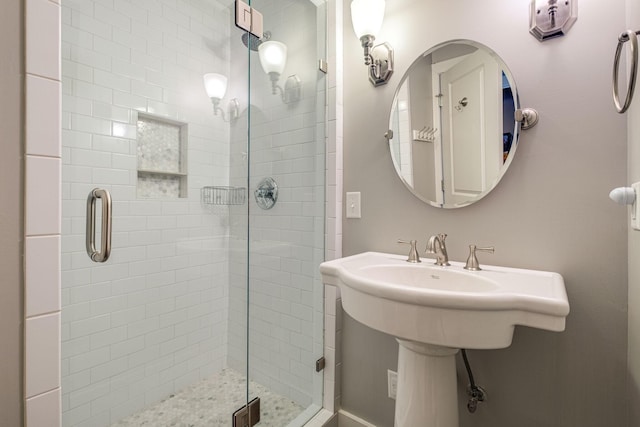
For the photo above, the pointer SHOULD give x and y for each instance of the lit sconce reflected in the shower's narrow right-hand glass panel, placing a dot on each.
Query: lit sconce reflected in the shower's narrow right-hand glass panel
(273, 57)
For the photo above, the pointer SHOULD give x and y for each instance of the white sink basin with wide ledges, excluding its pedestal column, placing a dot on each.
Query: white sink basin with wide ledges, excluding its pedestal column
(447, 306)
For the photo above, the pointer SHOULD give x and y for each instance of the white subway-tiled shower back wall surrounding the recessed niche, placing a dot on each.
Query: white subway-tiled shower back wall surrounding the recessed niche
(154, 318)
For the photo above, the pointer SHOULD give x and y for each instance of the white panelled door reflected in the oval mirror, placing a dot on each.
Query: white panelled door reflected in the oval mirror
(471, 92)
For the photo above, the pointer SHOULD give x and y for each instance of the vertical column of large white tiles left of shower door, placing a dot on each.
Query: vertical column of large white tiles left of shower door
(42, 214)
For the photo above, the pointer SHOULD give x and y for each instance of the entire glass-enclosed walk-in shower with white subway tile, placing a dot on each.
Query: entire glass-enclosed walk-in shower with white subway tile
(208, 300)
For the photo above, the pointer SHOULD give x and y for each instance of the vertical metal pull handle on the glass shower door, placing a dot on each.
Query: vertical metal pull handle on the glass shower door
(105, 245)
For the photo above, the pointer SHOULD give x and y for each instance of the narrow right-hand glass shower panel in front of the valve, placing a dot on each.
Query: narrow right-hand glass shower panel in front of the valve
(286, 213)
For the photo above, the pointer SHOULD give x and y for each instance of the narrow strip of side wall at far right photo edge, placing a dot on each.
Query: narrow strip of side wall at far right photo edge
(633, 162)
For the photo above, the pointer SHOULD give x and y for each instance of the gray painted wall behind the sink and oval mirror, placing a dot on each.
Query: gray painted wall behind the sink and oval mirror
(550, 212)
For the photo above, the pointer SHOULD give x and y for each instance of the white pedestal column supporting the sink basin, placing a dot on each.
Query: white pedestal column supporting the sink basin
(427, 389)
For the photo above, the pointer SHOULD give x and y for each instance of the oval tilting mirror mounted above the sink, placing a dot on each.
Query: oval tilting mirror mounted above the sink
(453, 132)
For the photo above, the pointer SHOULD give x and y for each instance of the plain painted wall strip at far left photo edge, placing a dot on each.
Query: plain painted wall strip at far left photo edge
(11, 231)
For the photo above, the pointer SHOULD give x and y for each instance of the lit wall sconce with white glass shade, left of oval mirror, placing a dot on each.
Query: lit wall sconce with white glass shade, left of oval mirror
(366, 17)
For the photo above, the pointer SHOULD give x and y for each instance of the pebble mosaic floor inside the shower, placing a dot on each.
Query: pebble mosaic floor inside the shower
(211, 402)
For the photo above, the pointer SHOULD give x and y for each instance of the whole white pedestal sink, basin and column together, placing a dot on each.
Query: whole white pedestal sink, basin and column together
(434, 311)
